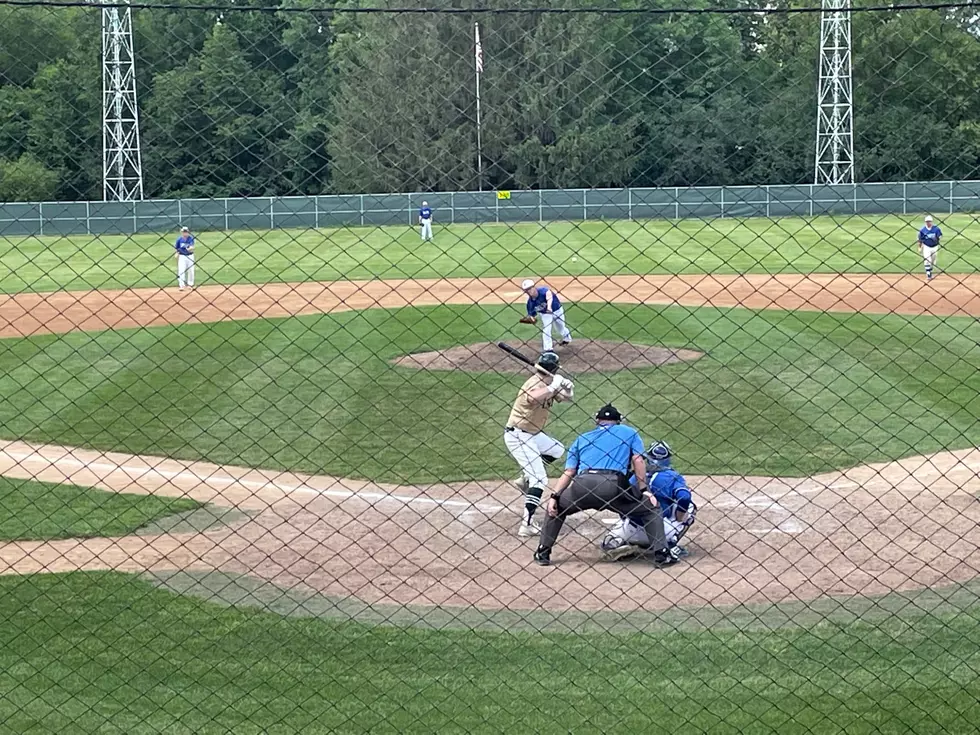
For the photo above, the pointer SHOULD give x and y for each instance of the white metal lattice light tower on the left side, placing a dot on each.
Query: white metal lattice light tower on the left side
(122, 161)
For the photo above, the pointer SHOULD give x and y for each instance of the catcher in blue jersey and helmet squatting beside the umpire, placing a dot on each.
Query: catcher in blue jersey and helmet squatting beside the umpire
(674, 498)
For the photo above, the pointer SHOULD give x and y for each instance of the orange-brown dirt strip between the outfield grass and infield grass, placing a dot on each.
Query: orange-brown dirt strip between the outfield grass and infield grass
(67, 311)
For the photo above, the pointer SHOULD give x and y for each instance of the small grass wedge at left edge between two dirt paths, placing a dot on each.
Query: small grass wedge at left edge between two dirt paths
(42, 510)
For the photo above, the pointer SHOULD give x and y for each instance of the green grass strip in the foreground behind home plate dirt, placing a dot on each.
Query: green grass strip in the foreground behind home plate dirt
(103, 652)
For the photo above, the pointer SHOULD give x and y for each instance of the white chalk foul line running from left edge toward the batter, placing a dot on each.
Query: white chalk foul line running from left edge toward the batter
(140, 472)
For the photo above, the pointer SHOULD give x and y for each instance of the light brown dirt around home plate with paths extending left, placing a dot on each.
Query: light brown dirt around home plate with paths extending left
(907, 525)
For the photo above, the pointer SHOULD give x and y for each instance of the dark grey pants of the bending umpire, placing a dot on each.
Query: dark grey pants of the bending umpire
(601, 491)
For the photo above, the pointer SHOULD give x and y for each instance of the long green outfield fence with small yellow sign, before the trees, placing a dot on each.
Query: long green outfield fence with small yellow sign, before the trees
(471, 207)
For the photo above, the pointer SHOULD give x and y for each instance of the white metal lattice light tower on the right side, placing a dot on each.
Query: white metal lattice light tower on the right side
(835, 110)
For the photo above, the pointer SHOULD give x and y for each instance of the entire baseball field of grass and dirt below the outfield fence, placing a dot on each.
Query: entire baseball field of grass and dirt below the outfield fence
(236, 509)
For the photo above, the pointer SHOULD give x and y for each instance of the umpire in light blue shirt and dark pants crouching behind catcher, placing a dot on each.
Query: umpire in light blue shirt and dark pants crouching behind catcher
(596, 477)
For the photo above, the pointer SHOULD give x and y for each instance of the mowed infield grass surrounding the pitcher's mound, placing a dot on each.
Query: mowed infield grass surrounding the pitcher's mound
(786, 393)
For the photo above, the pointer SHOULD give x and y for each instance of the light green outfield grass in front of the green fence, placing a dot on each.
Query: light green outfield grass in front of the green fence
(790, 245)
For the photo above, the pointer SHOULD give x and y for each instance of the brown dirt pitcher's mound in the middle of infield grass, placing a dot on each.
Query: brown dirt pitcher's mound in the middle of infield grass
(581, 356)
